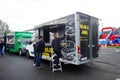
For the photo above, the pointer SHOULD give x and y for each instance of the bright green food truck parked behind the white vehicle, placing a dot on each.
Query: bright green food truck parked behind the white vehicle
(17, 41)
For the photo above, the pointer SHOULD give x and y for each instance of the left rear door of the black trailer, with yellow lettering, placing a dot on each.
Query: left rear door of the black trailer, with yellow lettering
(84, 36)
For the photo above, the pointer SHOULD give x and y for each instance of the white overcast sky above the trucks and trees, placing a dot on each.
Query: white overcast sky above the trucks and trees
(25, 14)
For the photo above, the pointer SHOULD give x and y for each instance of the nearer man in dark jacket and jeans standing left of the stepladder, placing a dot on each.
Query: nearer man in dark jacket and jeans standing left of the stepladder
(40, 46)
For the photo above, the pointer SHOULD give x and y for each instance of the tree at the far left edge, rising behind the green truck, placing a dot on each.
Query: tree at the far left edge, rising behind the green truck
(4, 28)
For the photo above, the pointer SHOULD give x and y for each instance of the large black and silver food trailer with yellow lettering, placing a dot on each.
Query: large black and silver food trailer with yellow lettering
(79, 46)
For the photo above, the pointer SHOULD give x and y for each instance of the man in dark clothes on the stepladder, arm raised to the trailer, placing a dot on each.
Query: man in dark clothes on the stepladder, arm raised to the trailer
(57, 47)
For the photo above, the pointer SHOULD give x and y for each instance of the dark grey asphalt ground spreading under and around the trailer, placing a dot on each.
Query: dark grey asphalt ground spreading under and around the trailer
(106, 67)
